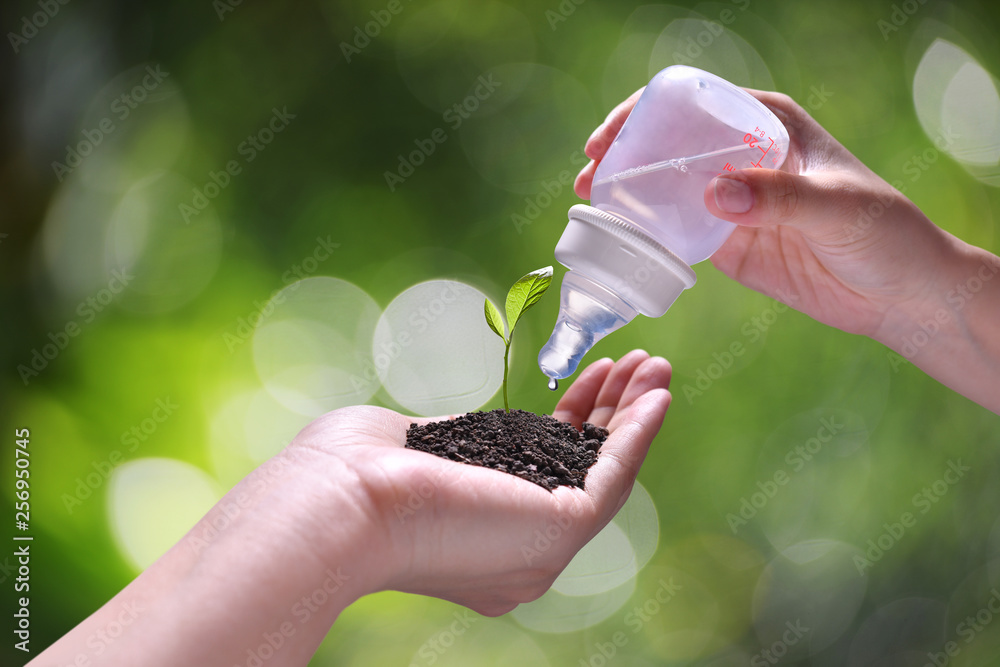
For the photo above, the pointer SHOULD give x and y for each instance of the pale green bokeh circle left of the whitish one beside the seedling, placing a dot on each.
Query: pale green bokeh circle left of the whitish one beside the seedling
(312, 345)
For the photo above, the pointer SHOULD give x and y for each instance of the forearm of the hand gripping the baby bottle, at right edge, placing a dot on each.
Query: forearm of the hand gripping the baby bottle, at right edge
(952, 334)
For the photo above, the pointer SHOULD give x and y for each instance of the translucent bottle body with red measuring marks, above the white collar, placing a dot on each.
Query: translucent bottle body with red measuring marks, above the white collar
(687, 128)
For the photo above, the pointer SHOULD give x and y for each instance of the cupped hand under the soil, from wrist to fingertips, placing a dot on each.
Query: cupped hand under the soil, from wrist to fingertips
(459, 532)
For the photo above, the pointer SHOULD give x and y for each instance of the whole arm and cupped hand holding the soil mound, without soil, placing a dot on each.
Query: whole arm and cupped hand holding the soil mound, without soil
(346, 510)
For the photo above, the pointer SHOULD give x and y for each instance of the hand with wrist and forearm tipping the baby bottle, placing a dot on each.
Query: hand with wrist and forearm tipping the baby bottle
(852, 251)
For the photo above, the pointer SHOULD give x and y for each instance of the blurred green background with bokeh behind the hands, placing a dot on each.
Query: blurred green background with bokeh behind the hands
(155, 401)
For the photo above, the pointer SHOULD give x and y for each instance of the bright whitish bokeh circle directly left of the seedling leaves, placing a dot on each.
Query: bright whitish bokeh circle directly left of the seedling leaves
(434, 352)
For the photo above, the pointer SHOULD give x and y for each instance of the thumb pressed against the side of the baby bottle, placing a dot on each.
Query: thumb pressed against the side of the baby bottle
(766, 197)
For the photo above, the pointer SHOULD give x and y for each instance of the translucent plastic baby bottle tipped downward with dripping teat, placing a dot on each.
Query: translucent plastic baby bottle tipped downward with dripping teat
(632, 249)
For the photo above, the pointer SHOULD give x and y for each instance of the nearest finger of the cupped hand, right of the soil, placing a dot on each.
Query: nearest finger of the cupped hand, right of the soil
(610, 480)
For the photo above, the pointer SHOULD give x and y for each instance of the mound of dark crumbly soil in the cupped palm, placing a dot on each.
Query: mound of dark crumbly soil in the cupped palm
(537, 448)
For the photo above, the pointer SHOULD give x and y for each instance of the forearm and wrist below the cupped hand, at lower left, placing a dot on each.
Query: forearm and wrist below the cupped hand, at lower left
(250, 579)
